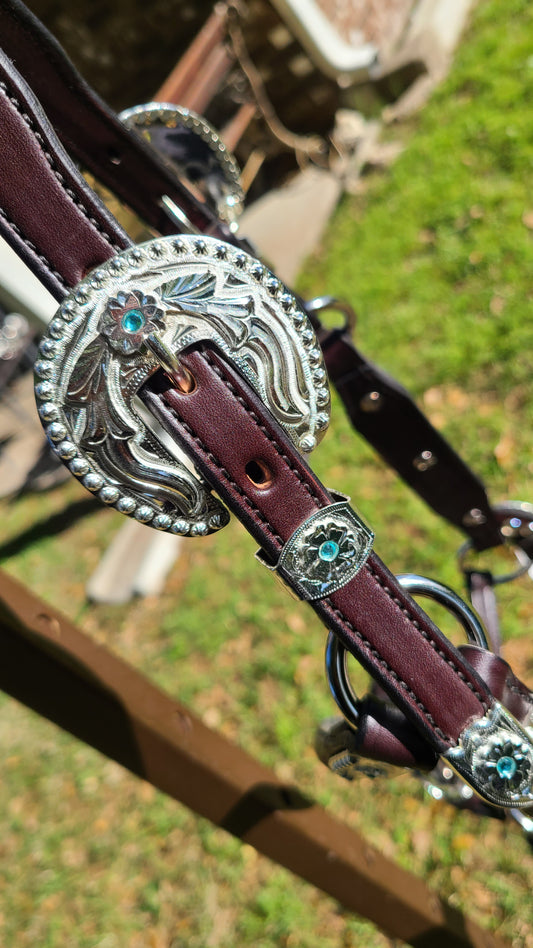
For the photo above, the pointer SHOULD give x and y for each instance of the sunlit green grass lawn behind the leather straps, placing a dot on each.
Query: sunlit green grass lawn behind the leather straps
(436, 256)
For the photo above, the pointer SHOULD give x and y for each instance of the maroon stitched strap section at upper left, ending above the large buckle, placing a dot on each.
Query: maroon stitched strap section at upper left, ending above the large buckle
(48, 214)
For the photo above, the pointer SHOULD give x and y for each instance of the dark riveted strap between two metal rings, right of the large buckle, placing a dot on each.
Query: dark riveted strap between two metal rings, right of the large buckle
(384, 413)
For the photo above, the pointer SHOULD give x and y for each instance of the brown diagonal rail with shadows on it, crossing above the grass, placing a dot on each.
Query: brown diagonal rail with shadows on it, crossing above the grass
(58, 671)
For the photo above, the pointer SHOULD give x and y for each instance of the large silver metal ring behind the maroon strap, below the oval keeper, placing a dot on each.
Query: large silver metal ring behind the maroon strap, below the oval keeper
(337, 654)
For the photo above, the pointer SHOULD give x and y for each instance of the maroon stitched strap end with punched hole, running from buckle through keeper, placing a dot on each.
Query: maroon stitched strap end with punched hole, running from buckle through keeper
(223, 428)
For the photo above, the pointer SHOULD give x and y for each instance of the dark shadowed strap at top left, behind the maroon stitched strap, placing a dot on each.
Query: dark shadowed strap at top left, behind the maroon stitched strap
(91, 131)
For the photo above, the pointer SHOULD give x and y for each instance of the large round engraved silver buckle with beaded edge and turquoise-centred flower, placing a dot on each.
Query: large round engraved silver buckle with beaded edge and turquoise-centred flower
(95, 357)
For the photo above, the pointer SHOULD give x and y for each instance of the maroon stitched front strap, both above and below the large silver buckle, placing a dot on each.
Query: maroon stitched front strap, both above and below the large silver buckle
(62, 230)
